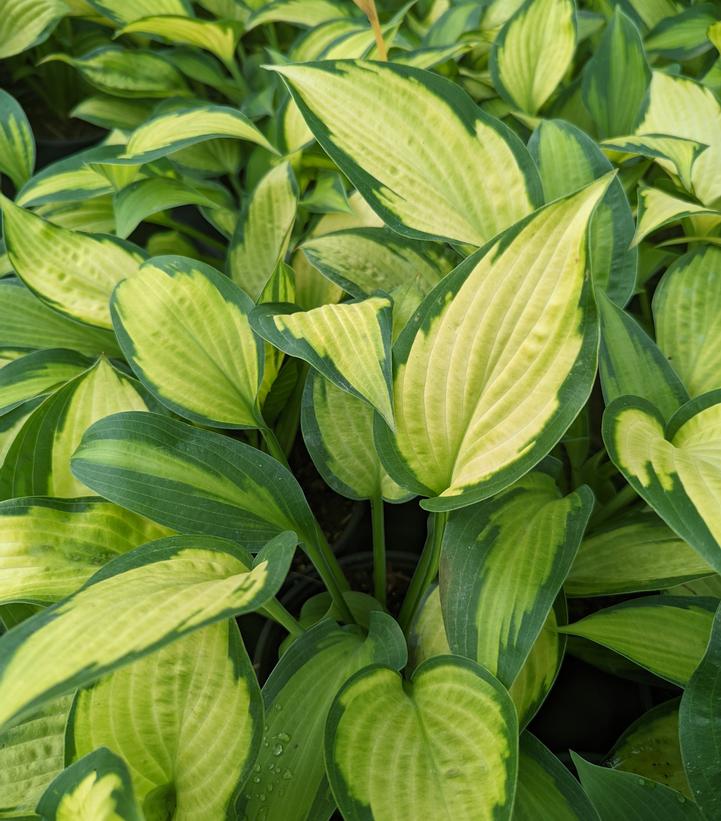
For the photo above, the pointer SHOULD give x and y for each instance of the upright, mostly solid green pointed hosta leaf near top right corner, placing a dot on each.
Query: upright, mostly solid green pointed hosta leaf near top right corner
(616, 78)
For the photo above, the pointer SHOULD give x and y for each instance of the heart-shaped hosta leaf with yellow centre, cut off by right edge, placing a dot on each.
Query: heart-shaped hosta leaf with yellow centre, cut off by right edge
(676, 469)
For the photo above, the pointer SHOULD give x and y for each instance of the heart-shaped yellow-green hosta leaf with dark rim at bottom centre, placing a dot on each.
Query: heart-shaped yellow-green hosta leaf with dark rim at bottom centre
(457, 728)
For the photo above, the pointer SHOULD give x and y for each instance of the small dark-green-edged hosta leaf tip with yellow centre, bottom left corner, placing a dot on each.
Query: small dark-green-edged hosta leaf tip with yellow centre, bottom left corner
(98, 787)
